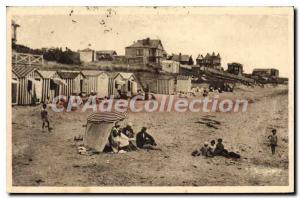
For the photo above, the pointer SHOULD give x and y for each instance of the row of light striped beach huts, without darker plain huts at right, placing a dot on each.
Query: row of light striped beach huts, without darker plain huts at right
(30, 83)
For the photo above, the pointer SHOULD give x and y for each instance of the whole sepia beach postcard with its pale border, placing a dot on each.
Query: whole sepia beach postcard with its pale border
(150, 99)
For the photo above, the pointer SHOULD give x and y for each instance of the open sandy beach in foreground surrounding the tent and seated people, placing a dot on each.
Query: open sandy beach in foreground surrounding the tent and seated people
(41, 158)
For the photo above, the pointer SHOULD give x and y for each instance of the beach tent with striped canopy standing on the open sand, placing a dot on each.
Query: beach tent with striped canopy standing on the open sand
(98, 128)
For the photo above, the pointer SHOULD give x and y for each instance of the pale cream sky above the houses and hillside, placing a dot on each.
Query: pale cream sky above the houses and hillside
(254, 40)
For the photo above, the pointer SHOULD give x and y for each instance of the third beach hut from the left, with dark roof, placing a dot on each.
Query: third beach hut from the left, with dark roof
(74, 82)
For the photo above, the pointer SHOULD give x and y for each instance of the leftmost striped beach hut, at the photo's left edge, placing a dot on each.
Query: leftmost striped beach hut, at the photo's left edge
(27, 84)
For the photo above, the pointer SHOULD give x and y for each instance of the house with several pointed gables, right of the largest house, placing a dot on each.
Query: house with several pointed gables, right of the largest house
(209, 61)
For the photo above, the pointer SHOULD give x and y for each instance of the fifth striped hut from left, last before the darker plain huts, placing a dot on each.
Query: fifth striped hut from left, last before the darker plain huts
(124, 83)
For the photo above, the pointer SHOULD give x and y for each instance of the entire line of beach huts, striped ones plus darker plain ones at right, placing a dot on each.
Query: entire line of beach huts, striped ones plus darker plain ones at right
(31, 85)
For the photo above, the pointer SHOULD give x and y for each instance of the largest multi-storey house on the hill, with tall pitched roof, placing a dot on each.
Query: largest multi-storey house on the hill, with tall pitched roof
(145, 51)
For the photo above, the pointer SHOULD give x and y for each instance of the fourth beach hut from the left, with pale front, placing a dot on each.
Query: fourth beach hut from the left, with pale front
(96, 81)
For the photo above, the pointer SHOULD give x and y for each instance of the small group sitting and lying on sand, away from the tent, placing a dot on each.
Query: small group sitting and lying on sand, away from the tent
(215, 149)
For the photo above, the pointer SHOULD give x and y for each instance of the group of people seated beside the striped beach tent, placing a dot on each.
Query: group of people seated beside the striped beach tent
(123, 140)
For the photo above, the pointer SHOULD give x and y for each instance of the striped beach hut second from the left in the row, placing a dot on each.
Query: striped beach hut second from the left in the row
(51, 85)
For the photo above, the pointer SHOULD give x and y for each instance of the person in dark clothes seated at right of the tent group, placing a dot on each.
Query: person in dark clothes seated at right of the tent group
(144, 139)
